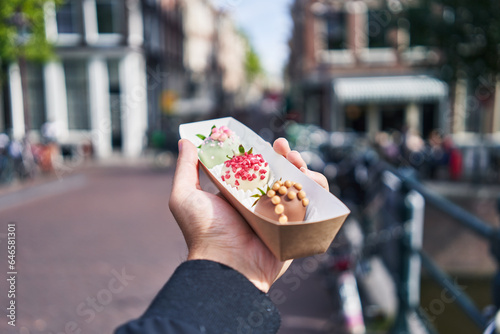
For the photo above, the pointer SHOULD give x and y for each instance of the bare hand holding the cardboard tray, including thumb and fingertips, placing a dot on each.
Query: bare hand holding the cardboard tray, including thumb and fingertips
(215, 231)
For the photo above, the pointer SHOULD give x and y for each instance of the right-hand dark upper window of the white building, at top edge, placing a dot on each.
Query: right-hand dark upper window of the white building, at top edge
(109, 16)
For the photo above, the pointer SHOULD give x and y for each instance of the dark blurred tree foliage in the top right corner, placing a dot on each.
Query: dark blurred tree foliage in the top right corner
(467, 32)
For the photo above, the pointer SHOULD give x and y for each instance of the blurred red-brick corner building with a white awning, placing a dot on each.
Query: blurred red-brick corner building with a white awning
(354, 66)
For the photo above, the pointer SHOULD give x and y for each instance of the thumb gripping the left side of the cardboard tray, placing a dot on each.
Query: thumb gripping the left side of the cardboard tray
(186, 173)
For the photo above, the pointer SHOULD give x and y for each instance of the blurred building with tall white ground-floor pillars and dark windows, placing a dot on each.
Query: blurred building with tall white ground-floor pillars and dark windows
(95, 91)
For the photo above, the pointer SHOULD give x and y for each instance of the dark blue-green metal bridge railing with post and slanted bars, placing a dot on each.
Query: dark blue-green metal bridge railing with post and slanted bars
(409, 249)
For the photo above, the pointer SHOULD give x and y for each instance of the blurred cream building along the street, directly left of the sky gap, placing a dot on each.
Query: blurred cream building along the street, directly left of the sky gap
(214, 56)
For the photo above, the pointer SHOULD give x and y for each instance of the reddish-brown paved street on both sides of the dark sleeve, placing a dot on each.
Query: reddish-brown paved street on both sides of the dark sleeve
(96, 246)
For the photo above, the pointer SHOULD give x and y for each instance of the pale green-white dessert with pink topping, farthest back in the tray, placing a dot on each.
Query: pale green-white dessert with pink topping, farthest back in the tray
(215, 149)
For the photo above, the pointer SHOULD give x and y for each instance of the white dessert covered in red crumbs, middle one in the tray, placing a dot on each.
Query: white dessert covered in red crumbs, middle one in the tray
(246, 172)
